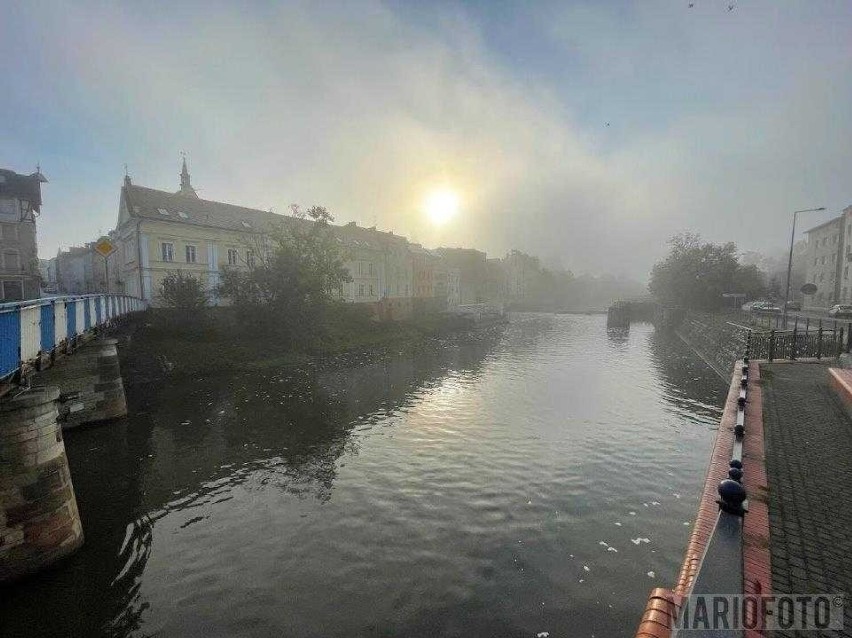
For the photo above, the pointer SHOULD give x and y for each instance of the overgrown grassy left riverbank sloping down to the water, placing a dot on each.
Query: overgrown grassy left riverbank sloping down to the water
(160, 343)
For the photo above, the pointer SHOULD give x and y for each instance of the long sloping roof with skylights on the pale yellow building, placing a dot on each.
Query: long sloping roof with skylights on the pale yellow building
(149, 203)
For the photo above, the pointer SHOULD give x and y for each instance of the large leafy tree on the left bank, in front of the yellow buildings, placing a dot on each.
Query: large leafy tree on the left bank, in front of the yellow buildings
(298, 269)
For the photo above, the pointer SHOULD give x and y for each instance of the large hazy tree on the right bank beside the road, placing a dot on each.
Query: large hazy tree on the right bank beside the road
(696, 274)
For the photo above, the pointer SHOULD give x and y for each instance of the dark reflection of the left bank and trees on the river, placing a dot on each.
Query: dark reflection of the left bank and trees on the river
(185, 447)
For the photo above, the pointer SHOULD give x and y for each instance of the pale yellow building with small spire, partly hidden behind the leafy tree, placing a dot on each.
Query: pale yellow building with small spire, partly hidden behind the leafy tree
(159, 232)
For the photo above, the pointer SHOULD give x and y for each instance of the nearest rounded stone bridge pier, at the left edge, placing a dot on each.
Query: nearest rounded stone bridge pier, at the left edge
(39, 520)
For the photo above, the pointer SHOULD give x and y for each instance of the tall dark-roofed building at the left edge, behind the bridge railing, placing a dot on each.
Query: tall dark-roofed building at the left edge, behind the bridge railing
(20, 205)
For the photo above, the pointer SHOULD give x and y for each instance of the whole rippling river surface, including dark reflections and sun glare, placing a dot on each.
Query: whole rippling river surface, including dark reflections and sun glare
(538, 478)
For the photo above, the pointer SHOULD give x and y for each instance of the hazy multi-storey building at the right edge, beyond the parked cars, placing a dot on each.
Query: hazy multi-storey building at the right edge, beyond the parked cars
(829, 257)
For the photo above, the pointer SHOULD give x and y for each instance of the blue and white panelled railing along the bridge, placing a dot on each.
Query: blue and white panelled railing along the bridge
(37, 327)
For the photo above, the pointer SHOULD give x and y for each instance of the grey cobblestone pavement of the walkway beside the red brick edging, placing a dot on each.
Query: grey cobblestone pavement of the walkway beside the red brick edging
(809, 467)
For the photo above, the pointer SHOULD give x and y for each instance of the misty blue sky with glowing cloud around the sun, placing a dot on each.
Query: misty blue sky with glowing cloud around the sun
(587, 133)
